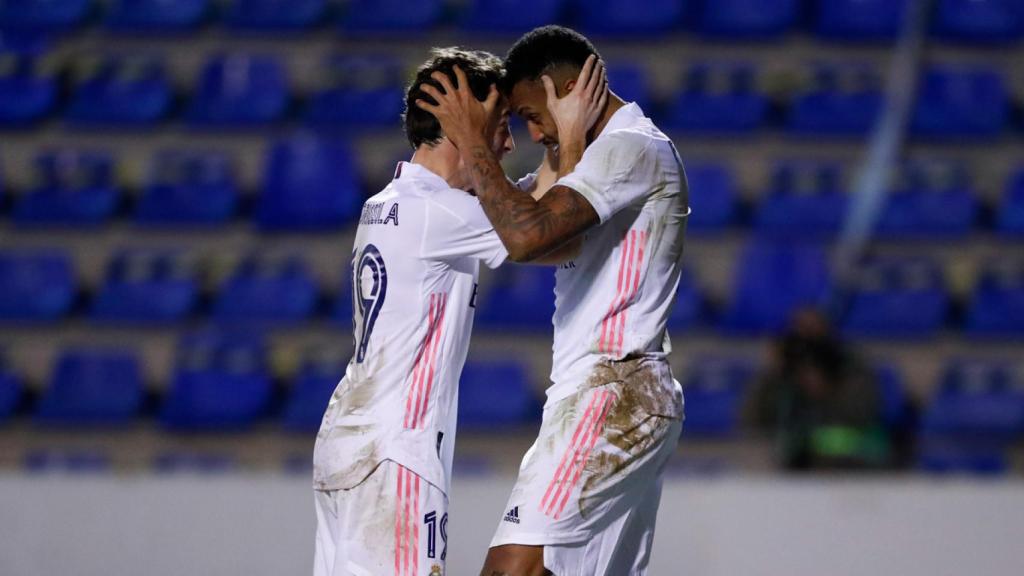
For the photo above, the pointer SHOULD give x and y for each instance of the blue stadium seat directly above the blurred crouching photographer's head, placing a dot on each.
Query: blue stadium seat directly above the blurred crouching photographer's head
(775, 280)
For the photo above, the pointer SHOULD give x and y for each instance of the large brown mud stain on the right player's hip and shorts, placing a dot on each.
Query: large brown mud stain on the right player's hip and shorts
(645, 408)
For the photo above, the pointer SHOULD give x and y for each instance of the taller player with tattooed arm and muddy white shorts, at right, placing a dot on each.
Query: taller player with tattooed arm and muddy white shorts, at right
(588, 492)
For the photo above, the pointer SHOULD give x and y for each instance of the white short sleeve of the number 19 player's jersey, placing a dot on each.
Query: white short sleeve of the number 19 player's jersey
(461, 230)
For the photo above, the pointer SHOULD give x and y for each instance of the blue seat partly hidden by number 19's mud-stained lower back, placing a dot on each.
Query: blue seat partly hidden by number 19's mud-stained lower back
(312, 391)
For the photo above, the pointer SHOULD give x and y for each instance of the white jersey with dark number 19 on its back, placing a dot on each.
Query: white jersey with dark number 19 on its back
(415, 268)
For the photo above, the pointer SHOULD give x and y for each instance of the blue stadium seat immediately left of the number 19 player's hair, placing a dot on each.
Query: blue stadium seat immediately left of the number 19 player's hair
(362, 92)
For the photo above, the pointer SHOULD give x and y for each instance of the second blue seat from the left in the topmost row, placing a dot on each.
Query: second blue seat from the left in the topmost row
(157, 16)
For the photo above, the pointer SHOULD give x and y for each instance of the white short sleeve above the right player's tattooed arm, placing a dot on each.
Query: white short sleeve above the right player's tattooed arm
(615, 172)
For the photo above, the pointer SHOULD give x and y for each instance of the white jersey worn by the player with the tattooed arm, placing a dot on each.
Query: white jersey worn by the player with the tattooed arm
(613, 301)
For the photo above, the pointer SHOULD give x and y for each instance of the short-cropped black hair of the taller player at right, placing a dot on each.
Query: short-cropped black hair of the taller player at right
(542, 50)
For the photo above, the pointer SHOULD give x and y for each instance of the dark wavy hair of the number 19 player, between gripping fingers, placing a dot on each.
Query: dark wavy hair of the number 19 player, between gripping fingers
(483, 70)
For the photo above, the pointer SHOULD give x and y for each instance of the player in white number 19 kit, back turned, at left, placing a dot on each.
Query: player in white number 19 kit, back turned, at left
(383, 456)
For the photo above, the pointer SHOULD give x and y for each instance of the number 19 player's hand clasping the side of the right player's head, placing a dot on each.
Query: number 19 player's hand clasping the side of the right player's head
(577, 112)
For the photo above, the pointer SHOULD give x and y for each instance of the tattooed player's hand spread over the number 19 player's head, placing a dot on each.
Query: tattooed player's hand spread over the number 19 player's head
(462, 116)
